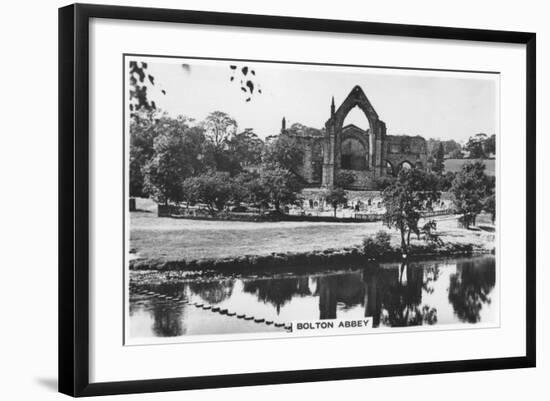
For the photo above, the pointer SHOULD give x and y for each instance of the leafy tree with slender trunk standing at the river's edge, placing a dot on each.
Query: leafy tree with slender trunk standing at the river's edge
(412, 193)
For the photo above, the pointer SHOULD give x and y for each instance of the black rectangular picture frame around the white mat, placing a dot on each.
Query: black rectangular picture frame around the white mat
(74, 204)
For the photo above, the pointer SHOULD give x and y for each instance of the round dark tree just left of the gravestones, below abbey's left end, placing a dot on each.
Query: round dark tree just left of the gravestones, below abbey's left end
(281, 187)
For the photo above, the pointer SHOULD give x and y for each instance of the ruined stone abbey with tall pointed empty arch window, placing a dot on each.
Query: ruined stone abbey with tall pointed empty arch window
(366, 154)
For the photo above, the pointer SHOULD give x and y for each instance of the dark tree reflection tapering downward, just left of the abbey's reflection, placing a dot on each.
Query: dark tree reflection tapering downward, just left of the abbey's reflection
(278, 291)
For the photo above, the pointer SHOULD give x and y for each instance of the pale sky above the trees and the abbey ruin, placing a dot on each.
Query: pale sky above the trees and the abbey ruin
(440, 104)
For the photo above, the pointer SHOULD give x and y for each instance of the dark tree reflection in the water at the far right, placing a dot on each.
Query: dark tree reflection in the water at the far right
(470, 287)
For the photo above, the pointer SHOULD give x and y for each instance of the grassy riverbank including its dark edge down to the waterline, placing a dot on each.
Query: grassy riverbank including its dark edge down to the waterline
(173, 244)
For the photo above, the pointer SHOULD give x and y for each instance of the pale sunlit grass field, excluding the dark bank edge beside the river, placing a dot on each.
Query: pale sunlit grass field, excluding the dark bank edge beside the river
(152, 237)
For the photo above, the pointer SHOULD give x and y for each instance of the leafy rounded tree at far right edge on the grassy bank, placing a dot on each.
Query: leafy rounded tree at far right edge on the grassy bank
(469, 189)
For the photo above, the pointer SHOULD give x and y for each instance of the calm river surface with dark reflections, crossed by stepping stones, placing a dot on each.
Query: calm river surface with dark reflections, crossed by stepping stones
(394, 295)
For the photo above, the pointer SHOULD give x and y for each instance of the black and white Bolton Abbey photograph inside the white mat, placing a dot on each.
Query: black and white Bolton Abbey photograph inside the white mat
(277, 199)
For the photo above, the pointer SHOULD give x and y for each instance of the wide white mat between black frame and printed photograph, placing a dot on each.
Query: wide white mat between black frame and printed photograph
(111, 360)
